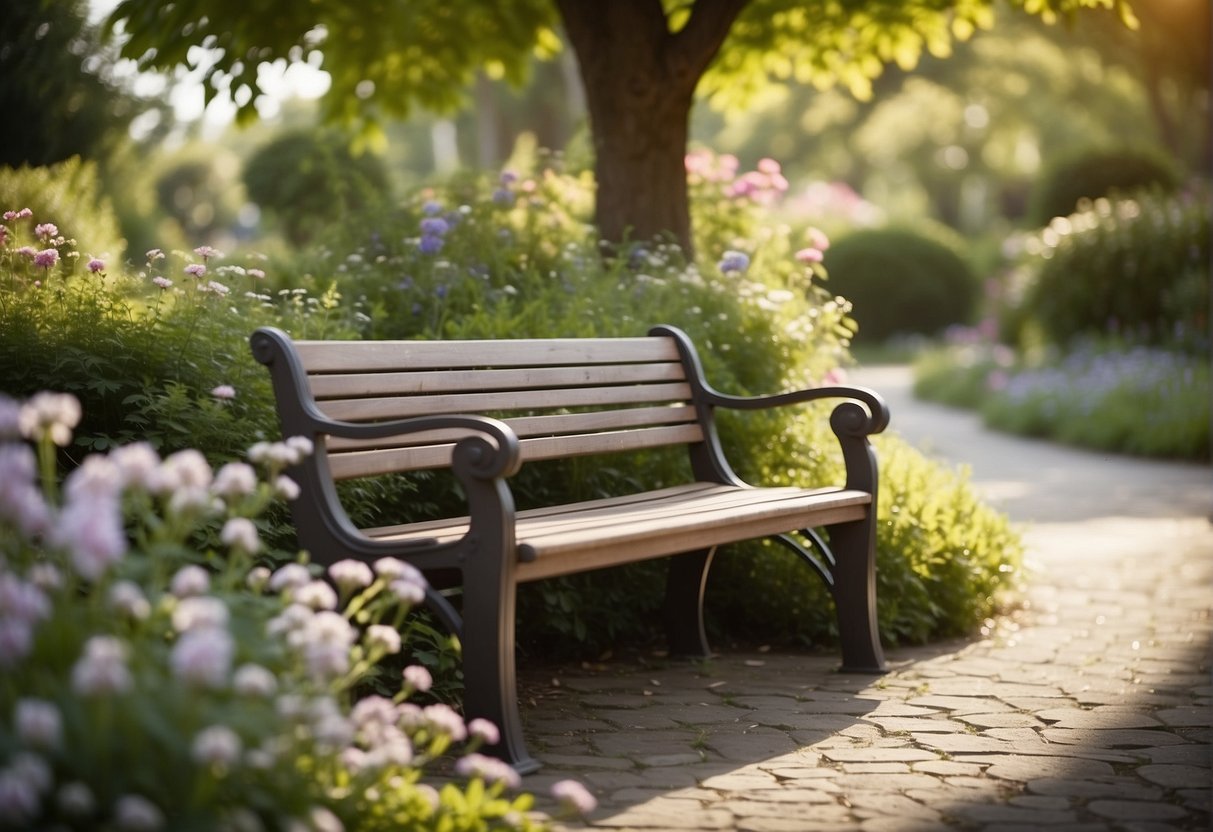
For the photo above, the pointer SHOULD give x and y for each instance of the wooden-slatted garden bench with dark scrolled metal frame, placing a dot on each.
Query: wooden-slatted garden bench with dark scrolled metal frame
(483, 408)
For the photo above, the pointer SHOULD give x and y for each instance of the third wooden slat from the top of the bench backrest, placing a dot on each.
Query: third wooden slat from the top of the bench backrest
(369, 411)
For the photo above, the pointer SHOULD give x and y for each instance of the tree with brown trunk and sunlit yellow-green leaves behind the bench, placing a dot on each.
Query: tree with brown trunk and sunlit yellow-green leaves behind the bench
(642, 62)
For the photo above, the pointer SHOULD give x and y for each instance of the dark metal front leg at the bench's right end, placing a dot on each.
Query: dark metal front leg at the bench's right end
(855, 592)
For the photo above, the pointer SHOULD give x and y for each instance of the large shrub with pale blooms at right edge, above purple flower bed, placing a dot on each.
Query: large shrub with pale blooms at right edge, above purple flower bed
(1137, 269)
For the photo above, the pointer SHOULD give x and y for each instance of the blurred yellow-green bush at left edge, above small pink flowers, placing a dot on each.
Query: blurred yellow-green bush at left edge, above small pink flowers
(70, 195)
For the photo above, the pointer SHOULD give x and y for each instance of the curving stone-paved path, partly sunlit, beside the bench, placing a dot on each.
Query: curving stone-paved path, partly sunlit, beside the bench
(1090, 710)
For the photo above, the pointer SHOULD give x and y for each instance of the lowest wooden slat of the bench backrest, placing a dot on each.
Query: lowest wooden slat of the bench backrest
(351, 465)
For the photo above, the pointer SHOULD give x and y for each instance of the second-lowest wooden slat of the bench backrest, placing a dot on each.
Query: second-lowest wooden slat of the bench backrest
(532, 426)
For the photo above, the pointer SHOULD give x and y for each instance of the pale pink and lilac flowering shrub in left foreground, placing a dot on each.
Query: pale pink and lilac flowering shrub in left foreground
(150, 683)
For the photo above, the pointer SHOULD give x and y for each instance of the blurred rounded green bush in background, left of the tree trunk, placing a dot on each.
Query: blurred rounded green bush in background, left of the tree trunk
(305, 178)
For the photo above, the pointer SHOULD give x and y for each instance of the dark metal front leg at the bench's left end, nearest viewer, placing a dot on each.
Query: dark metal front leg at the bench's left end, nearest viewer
(491, 688)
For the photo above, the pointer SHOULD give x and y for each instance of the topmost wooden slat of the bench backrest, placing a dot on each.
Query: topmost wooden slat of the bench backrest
(389, 356)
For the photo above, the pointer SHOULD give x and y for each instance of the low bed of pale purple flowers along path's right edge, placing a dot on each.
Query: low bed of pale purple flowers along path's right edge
(1108, 396)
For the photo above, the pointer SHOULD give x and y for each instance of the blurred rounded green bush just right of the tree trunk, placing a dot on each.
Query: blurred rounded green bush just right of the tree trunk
(902, 282)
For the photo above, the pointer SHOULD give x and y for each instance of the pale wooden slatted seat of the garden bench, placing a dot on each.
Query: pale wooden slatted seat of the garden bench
(583, 537)
